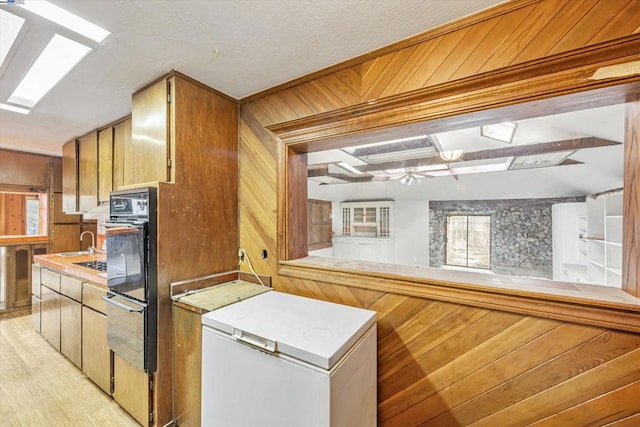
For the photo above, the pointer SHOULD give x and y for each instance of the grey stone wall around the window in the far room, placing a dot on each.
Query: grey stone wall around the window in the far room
(521, 239)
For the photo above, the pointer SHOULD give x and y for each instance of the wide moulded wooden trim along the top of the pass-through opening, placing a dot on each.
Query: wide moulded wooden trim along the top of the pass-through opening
(558, 74)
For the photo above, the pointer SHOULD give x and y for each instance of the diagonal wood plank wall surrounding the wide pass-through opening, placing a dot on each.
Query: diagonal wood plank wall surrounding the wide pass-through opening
(477, 370)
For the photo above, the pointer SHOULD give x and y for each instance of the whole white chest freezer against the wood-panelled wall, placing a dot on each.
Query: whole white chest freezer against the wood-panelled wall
(283, 360)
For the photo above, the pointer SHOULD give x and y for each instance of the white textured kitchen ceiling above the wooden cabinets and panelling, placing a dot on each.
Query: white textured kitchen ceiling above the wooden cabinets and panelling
(239, 47)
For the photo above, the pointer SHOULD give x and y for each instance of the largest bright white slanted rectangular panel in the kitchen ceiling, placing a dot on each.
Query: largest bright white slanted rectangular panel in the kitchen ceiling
(56, 60)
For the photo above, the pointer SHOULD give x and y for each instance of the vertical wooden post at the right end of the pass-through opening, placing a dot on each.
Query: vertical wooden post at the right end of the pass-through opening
(631, 200)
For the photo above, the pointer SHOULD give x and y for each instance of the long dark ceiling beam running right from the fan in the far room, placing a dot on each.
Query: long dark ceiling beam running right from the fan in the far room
(519, 150)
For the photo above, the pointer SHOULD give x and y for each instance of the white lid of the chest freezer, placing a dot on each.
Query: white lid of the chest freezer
(314, 331)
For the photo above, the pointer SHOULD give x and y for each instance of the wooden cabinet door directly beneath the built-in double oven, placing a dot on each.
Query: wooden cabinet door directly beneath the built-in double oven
(131, 389)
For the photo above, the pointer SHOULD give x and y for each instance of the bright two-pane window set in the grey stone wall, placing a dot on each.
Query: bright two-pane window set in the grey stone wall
(469, 241)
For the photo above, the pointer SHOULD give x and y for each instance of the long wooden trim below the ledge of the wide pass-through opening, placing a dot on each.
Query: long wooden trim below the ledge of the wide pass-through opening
(571, 309)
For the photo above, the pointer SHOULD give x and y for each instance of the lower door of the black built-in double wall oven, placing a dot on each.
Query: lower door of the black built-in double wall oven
(126, 329)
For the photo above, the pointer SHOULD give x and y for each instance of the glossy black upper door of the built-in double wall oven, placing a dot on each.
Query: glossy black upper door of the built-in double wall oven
(127, 260)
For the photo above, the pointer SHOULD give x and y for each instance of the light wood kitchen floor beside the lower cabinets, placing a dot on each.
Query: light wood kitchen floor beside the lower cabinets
(40, 387)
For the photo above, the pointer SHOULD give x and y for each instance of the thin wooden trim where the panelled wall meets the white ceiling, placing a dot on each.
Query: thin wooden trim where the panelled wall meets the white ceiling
(493, 12)
